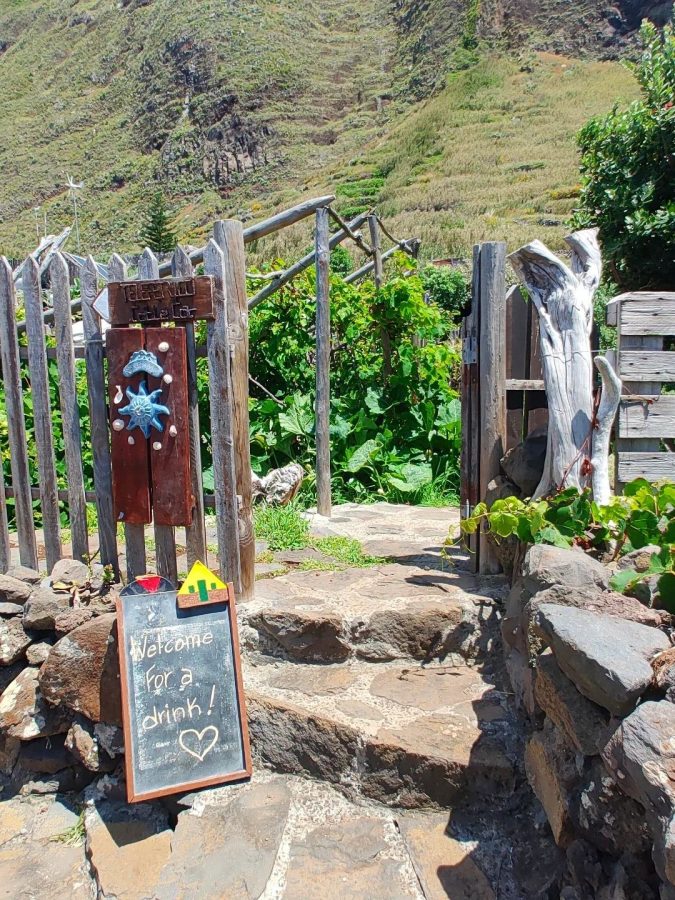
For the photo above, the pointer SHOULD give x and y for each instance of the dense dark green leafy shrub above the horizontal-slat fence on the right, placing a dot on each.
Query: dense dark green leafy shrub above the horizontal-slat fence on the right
(628, 173)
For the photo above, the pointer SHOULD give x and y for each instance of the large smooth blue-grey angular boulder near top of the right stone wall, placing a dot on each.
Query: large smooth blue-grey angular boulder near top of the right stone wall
(608, 659)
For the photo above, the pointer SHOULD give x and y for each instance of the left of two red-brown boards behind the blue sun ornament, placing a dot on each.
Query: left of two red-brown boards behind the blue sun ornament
(130, 464)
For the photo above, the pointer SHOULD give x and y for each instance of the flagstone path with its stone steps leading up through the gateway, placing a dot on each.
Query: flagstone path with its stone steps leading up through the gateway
(385, 744)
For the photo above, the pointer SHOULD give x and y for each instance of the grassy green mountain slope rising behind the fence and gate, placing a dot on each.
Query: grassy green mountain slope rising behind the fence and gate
(239, 109)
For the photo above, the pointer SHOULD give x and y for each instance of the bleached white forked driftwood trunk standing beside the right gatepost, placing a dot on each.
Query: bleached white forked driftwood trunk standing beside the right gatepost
(577, 451)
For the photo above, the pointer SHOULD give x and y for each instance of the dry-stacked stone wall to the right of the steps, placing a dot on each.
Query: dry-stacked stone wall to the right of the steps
(594, 673)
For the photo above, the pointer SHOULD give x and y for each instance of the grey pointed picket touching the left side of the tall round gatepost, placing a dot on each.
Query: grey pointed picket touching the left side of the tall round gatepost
(222, 441)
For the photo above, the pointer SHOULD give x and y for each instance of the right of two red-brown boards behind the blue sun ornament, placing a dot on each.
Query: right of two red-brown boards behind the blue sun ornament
(172, 499)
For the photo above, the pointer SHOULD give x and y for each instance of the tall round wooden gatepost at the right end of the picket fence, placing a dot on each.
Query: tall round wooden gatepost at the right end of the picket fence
(229, 236)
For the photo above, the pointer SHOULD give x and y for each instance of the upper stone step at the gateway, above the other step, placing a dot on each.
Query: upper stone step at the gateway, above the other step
(419, 611)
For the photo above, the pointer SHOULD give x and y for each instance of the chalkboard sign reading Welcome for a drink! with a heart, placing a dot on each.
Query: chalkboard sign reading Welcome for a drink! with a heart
(182, 699)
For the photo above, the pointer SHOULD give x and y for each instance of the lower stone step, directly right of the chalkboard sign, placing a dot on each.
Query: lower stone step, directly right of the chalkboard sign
(408, 737)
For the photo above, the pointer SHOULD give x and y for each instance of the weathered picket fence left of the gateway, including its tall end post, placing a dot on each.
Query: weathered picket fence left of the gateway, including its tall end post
(227, 358)
